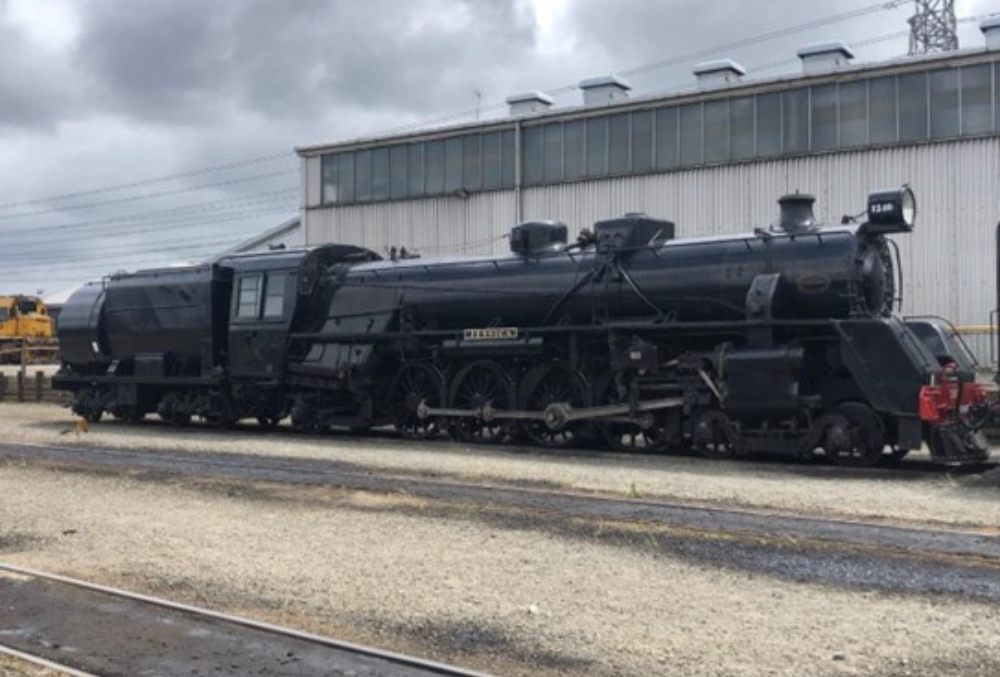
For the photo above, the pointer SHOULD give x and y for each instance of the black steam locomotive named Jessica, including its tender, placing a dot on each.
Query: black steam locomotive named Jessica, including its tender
(779, 341)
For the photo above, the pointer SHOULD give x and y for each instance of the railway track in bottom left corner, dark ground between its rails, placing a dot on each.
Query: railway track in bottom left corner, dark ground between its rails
(88, 630)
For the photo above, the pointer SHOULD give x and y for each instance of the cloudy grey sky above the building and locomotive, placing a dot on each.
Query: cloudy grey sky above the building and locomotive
(144, 132)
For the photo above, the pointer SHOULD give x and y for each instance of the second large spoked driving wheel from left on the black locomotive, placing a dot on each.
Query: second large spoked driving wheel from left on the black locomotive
(483, 386)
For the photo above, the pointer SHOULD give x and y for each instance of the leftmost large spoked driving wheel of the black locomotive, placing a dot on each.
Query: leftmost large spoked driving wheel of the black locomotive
(416, 383)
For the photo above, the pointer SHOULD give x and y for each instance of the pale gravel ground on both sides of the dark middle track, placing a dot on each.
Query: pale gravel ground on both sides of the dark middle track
(502, 596)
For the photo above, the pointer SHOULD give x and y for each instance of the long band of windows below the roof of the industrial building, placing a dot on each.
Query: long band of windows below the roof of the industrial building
(895, 109)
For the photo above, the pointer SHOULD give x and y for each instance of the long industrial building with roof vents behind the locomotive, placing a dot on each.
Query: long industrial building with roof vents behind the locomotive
(714, 159)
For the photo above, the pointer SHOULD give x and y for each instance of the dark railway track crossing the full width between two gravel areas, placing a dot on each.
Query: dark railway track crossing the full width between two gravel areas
(850, 553)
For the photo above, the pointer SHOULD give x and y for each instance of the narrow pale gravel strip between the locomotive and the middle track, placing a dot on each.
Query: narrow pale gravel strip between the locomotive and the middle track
(930, 494)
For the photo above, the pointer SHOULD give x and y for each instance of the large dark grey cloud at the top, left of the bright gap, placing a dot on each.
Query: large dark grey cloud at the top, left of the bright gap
(179, 61)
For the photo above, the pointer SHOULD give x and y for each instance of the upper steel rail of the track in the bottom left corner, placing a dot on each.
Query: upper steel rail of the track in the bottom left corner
(199, 612)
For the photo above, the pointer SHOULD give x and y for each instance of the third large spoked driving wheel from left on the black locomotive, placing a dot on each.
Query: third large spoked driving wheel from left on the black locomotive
(556, 383)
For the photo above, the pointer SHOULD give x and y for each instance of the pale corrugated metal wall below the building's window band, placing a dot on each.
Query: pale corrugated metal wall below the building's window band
(949, 261)
